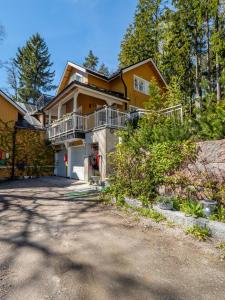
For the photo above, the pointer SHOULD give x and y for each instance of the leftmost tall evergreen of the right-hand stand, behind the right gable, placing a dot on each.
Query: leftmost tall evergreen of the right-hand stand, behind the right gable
(142, 39)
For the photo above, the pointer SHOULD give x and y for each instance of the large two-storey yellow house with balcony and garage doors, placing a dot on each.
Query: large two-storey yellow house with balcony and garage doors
(88, 109)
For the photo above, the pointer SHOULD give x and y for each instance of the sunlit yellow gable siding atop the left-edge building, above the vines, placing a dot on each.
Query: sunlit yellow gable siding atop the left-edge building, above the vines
(7, 111)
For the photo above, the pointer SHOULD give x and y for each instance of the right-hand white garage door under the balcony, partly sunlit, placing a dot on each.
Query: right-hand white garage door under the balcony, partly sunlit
(77, 163)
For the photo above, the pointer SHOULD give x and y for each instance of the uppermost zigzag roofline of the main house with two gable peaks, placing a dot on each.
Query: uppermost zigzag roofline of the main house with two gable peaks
(112, 76)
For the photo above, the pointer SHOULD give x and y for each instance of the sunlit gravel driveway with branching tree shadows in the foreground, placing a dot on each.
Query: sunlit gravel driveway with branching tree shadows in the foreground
(55, 244)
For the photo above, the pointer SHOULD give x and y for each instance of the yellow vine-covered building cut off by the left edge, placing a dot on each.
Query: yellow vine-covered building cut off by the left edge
(22, 140)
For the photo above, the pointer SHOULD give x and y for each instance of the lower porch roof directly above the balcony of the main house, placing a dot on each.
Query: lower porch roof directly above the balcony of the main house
(76, 83)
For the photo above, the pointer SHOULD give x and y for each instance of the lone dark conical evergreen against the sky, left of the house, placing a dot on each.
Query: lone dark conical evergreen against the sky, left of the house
(33, 64)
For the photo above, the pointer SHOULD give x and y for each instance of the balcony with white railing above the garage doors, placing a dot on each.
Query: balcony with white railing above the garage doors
(74, 125)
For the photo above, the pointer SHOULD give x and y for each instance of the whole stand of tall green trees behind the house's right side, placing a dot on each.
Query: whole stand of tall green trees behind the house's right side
(187, 41)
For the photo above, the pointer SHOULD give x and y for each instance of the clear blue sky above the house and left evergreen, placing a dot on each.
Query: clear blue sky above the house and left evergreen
(70, 28)
